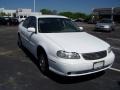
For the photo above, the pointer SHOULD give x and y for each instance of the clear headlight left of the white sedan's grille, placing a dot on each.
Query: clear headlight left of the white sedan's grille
(68, 55)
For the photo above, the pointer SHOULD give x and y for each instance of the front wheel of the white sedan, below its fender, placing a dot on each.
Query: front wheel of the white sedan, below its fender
(43, 62)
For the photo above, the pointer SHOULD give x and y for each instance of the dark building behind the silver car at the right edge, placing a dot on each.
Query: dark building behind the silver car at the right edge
(110, 13)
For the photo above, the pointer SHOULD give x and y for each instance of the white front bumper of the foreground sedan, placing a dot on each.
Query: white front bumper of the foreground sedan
(79, 67)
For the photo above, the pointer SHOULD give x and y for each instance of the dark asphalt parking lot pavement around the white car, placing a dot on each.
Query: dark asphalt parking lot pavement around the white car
(19, 69)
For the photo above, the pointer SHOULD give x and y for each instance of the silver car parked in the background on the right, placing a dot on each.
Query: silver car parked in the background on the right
(105, 25)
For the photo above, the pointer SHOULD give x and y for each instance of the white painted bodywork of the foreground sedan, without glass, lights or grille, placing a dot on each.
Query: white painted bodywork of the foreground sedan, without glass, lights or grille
(79, 42)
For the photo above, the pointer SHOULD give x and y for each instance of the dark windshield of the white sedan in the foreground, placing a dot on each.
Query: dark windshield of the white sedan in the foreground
(56, 25)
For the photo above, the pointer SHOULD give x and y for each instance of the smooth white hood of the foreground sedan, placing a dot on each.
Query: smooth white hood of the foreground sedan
(81, 42)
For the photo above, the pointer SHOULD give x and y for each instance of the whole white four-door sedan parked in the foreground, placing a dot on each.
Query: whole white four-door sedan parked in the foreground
(62, 47)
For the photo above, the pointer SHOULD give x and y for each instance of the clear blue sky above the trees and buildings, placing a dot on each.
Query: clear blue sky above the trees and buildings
(84, 6)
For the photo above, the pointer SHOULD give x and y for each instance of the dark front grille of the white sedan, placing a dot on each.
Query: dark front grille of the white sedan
(95, 55)
